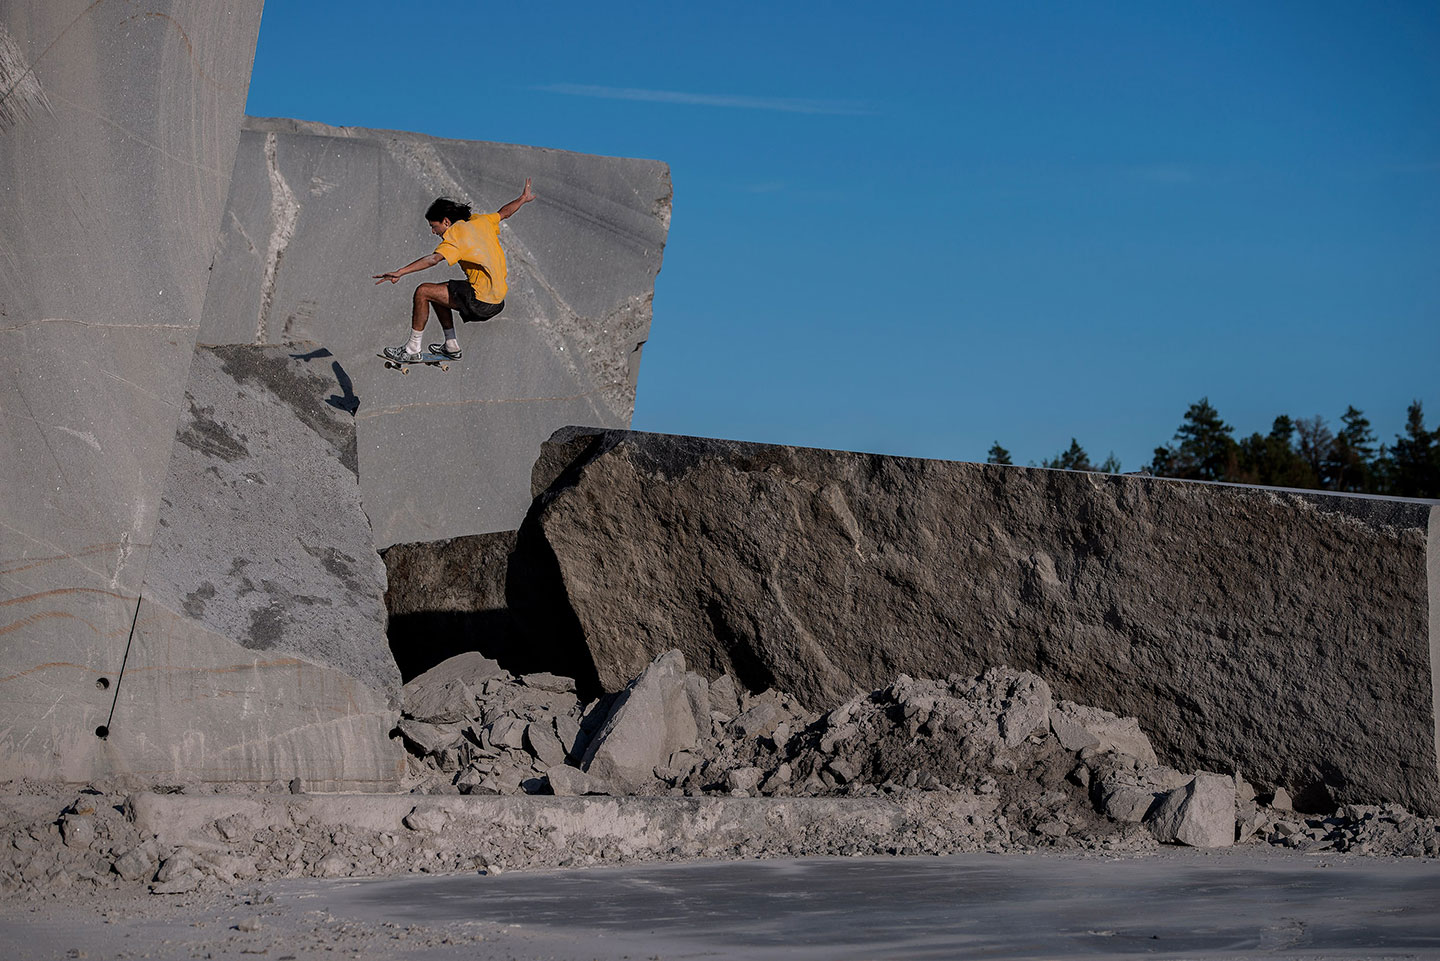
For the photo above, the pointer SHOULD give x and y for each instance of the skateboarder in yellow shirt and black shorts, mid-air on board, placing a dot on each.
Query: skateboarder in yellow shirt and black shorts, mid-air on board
(474, 244)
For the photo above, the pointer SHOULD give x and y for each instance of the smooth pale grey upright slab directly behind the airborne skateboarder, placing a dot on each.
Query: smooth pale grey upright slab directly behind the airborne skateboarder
(315, 211)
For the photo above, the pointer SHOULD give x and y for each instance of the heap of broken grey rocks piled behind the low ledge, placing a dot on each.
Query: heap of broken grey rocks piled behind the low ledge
(1062, 773)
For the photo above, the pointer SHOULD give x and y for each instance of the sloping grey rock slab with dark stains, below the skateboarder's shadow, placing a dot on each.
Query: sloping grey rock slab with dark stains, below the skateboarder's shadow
(260, 649)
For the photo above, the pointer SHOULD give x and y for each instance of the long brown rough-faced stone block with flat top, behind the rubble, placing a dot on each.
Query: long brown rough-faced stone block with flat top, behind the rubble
(1279, 633)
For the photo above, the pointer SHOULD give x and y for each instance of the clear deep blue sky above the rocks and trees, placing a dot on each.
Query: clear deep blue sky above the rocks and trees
(919, 228)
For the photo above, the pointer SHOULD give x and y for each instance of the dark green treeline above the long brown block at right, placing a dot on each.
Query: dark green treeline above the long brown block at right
(1300, 453)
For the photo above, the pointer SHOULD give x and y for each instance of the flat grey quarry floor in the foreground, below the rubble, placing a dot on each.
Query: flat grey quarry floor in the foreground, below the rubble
(1170, 904)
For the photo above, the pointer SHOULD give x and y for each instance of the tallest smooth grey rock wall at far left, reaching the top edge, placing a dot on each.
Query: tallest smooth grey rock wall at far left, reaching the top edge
(119, 130)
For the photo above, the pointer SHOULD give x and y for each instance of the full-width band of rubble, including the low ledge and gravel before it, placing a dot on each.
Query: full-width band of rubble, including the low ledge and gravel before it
(922, 767)
